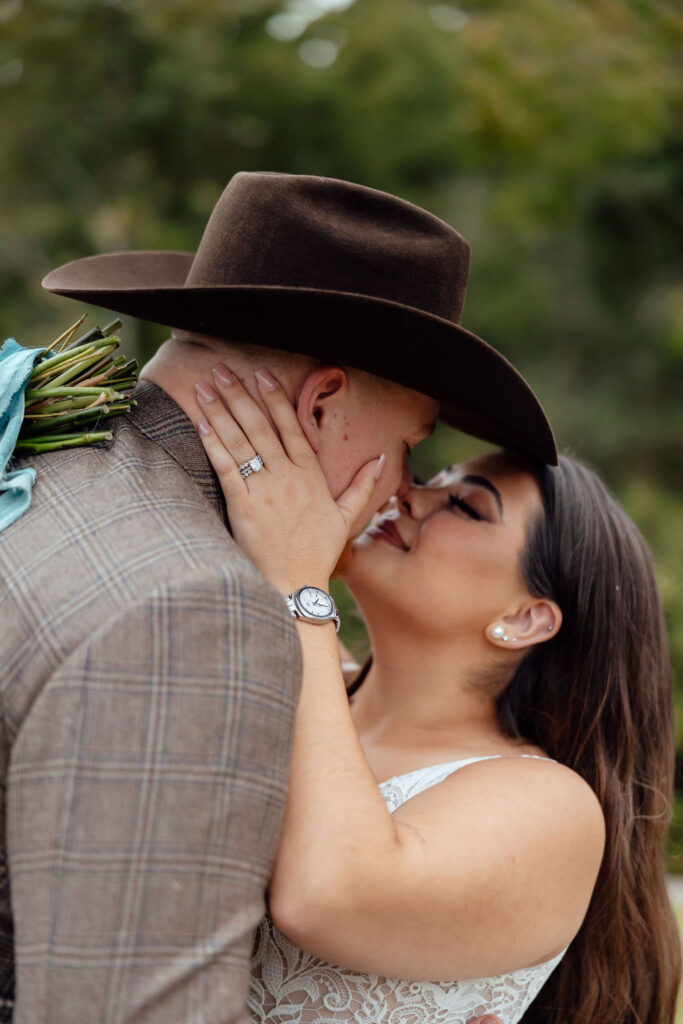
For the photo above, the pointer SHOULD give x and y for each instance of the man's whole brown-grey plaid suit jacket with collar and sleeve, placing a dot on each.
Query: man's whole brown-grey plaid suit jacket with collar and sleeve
(149, 680)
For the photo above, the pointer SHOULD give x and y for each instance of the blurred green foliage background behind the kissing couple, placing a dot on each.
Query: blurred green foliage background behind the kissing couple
(548, 132)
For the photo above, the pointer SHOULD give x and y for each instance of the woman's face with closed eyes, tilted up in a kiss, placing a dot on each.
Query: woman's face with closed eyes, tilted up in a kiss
(447, 557)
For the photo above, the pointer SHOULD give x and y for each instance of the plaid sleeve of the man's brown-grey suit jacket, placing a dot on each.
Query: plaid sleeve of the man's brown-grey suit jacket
(146, 794)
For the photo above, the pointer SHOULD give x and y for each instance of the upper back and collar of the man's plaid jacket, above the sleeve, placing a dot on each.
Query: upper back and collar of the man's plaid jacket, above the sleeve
(108, 525)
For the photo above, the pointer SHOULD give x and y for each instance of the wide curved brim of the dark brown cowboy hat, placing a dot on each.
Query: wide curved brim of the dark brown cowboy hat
(481, 393)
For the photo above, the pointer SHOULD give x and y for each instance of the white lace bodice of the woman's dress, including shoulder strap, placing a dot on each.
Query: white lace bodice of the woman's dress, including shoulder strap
(290, 987)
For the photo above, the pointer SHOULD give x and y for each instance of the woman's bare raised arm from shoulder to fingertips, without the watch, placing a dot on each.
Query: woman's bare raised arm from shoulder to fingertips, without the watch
(487, 872)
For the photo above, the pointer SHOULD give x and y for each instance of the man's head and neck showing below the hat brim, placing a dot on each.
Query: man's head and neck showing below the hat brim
(349, 416)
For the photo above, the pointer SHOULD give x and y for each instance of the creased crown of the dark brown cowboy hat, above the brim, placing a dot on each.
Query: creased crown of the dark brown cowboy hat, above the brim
(295, 231)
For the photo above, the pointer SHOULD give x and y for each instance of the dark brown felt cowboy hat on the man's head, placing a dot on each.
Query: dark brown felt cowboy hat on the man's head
(335, 271)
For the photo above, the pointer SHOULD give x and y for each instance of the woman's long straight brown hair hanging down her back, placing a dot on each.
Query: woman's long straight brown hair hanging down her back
(599, 699)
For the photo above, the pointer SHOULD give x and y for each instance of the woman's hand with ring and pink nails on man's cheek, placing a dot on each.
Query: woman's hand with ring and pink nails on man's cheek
(283, 516)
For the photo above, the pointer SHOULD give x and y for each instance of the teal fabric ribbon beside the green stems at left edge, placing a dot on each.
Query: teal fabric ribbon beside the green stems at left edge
(16, 488)
